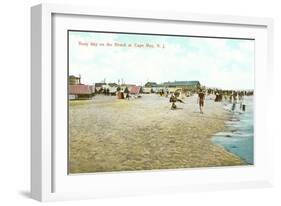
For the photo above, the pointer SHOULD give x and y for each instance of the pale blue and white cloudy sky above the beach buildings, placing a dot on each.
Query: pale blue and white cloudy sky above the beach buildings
(215, 62)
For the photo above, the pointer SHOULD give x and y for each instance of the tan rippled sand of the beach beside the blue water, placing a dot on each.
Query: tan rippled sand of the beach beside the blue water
(107, 134)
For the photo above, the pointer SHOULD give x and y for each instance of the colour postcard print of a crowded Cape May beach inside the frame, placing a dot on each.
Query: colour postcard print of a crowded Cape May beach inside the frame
(155, 101)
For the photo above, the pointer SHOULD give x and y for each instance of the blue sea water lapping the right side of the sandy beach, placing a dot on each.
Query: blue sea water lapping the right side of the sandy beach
(239, 136)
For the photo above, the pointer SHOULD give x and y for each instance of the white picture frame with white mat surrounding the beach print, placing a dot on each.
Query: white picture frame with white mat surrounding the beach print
(49, 178)
